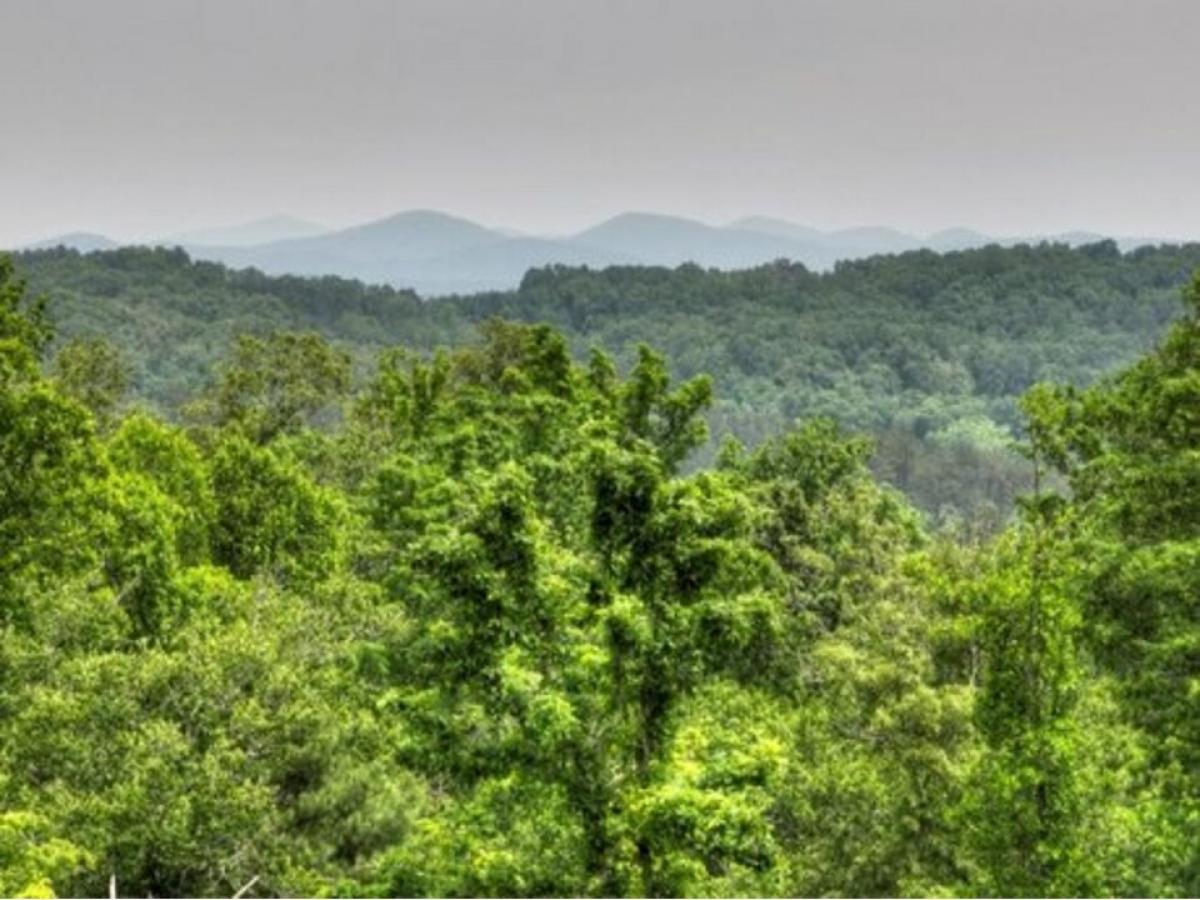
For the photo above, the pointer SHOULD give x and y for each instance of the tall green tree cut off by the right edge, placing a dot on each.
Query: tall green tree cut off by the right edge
(1131, 449)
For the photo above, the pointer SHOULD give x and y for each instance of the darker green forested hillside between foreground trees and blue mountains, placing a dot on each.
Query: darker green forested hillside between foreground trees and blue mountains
(926, 352)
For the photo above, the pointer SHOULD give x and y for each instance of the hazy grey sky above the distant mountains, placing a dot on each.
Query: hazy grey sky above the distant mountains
(142, 117)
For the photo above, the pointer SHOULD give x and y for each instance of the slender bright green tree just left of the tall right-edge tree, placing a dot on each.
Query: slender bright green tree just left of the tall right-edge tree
(1021, 809)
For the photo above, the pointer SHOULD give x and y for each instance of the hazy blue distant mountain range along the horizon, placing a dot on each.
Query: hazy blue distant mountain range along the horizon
(436, 254)
